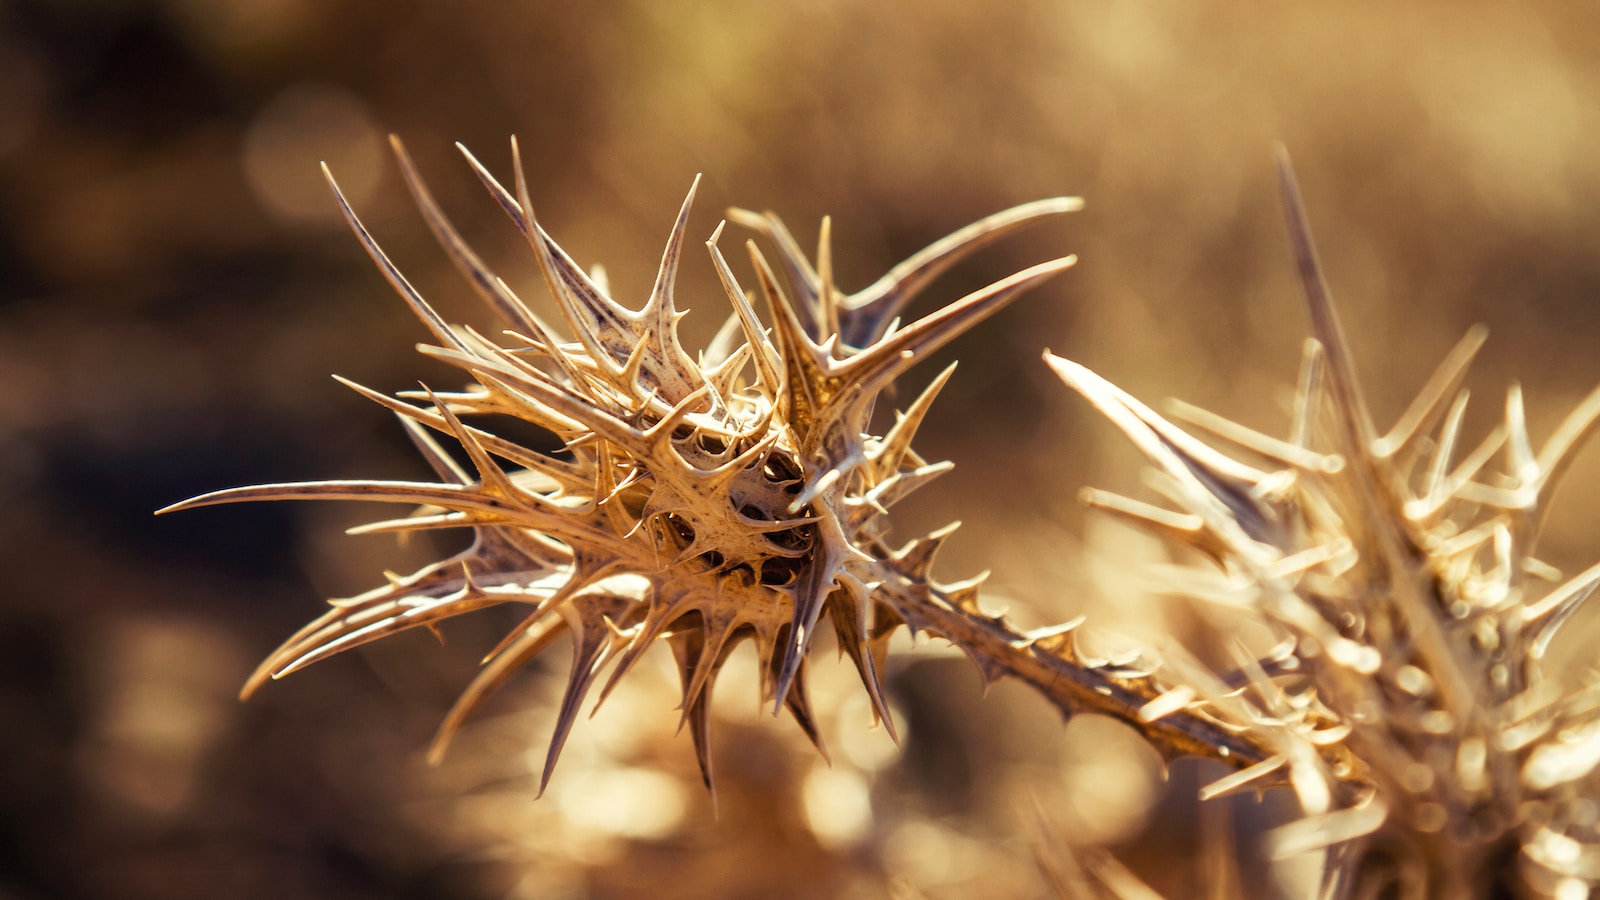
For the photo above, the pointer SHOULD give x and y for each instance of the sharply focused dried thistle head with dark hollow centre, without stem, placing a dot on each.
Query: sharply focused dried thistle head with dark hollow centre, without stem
(692, 504)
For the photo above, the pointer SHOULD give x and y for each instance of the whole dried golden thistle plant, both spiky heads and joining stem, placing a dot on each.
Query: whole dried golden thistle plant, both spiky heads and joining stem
(737, 494)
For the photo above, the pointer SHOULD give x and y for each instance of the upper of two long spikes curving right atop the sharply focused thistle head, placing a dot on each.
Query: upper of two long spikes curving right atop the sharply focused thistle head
(870, 311)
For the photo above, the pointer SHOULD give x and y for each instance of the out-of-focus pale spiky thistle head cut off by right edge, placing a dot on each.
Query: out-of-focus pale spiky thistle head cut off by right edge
(1431, 752)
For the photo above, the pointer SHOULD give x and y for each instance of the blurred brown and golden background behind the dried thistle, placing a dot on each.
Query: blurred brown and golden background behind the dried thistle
(177, 287)
